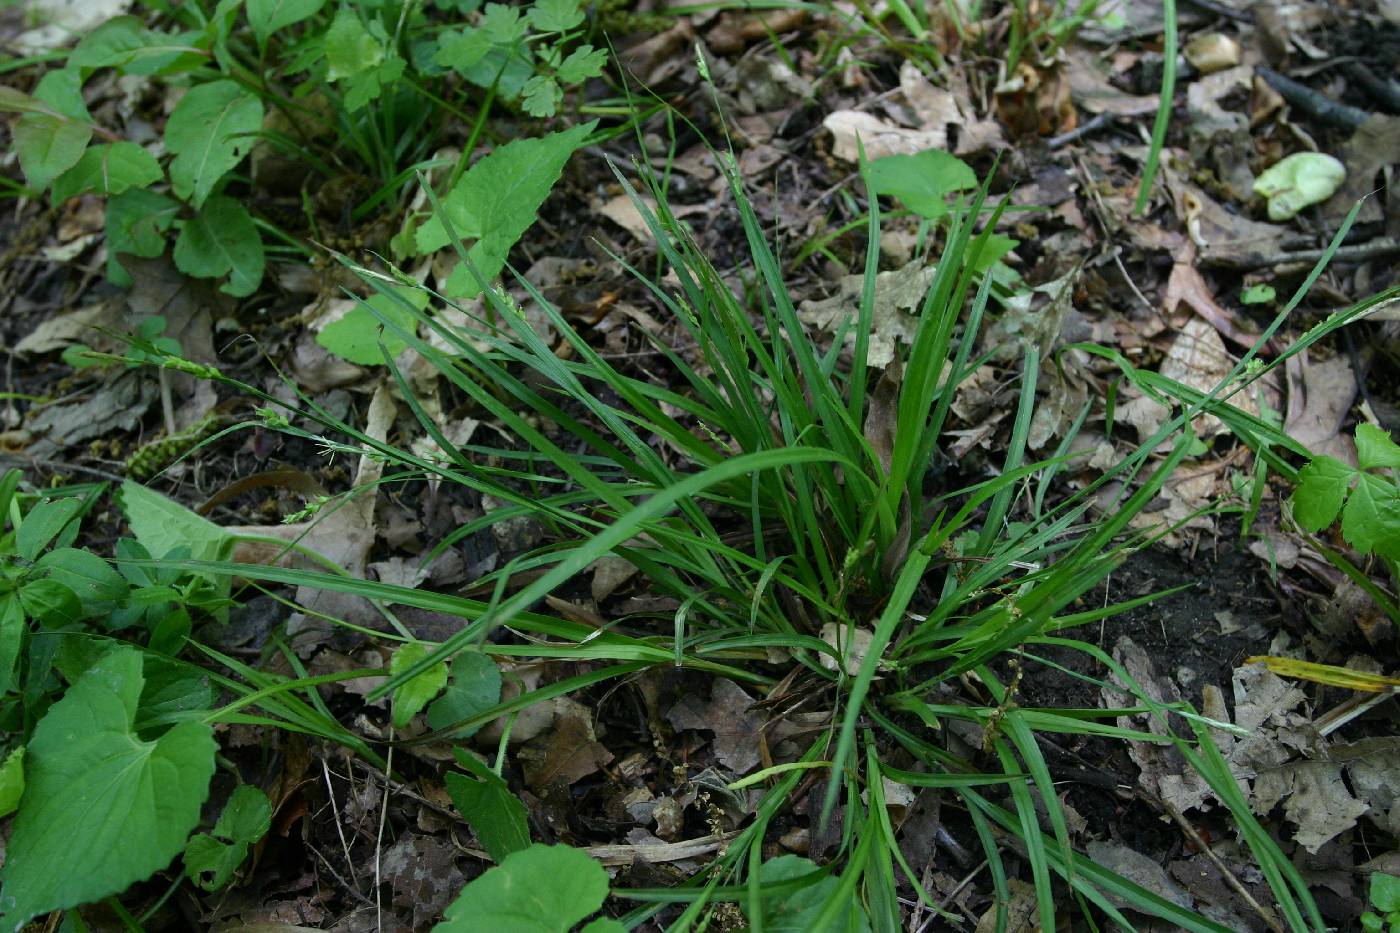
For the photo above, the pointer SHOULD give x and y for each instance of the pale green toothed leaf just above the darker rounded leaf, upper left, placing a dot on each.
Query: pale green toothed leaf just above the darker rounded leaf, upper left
(209, 132)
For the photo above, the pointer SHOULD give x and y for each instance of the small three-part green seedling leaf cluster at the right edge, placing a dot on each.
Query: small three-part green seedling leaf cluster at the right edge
(1371, 518)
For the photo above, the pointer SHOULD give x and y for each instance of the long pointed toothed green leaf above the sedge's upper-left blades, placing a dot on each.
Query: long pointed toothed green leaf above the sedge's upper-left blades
(496, 201)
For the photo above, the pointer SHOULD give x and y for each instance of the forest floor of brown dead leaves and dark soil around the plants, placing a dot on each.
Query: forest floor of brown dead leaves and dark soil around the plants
(638, 771)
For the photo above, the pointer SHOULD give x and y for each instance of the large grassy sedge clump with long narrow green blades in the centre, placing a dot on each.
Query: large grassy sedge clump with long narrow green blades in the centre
(785, 498)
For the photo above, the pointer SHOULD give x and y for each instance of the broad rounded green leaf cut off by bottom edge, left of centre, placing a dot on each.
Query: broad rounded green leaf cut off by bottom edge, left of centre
(538, 890)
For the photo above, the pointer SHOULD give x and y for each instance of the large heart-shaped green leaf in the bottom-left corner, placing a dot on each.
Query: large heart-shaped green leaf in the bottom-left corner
(96, 788)
